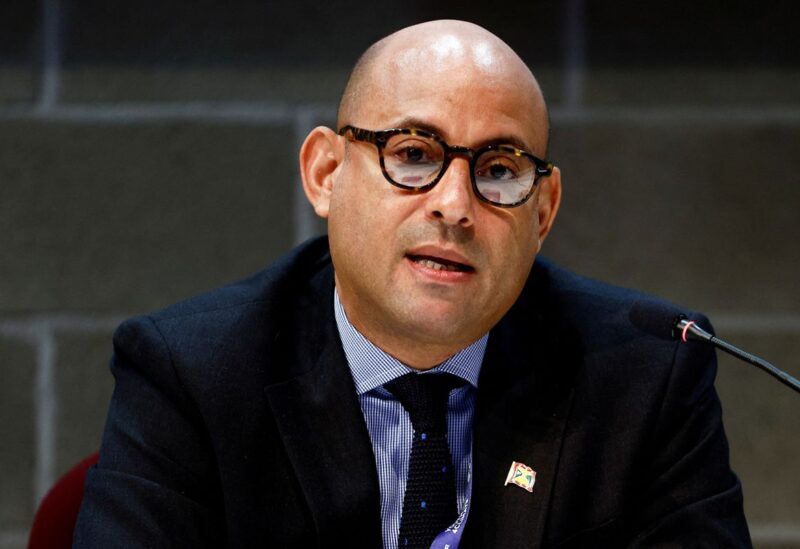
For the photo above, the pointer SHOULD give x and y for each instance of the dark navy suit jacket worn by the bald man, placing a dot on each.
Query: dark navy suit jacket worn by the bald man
(235, 422)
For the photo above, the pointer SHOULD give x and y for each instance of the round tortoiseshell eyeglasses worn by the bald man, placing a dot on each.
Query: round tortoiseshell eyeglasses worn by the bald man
(416, 160)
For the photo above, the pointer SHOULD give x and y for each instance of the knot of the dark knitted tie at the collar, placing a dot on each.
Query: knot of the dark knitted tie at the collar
(424, 396)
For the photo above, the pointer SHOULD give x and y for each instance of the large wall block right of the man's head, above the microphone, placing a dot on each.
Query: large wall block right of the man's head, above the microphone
(703, 215)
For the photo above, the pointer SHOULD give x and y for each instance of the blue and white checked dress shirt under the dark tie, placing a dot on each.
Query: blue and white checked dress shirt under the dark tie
(389, 425)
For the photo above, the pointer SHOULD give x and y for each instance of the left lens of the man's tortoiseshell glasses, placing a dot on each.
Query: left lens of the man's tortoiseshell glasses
(412, 160)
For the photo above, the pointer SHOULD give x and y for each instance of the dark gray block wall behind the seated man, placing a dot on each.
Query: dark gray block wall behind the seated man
(148, 153)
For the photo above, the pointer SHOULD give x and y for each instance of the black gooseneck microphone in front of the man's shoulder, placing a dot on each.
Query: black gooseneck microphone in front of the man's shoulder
(668, 322)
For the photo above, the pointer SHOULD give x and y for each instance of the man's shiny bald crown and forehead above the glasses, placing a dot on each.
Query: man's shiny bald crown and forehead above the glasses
(453, 75)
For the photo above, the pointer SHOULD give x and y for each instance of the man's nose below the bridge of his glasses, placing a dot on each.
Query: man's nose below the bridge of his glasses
(452, 200)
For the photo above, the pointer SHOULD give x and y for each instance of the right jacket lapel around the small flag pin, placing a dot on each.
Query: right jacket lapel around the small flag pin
(524, 398)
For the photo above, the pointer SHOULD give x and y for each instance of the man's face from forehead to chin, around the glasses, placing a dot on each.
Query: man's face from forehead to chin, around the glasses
(438, 268)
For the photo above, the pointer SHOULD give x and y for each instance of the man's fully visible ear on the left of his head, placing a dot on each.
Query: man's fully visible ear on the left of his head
(320, 157)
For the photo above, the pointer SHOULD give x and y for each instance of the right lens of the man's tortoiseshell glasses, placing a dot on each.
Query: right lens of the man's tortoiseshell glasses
(503, 176)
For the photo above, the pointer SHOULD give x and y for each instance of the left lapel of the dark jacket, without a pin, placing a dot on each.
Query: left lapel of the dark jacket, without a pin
(322, 427)
